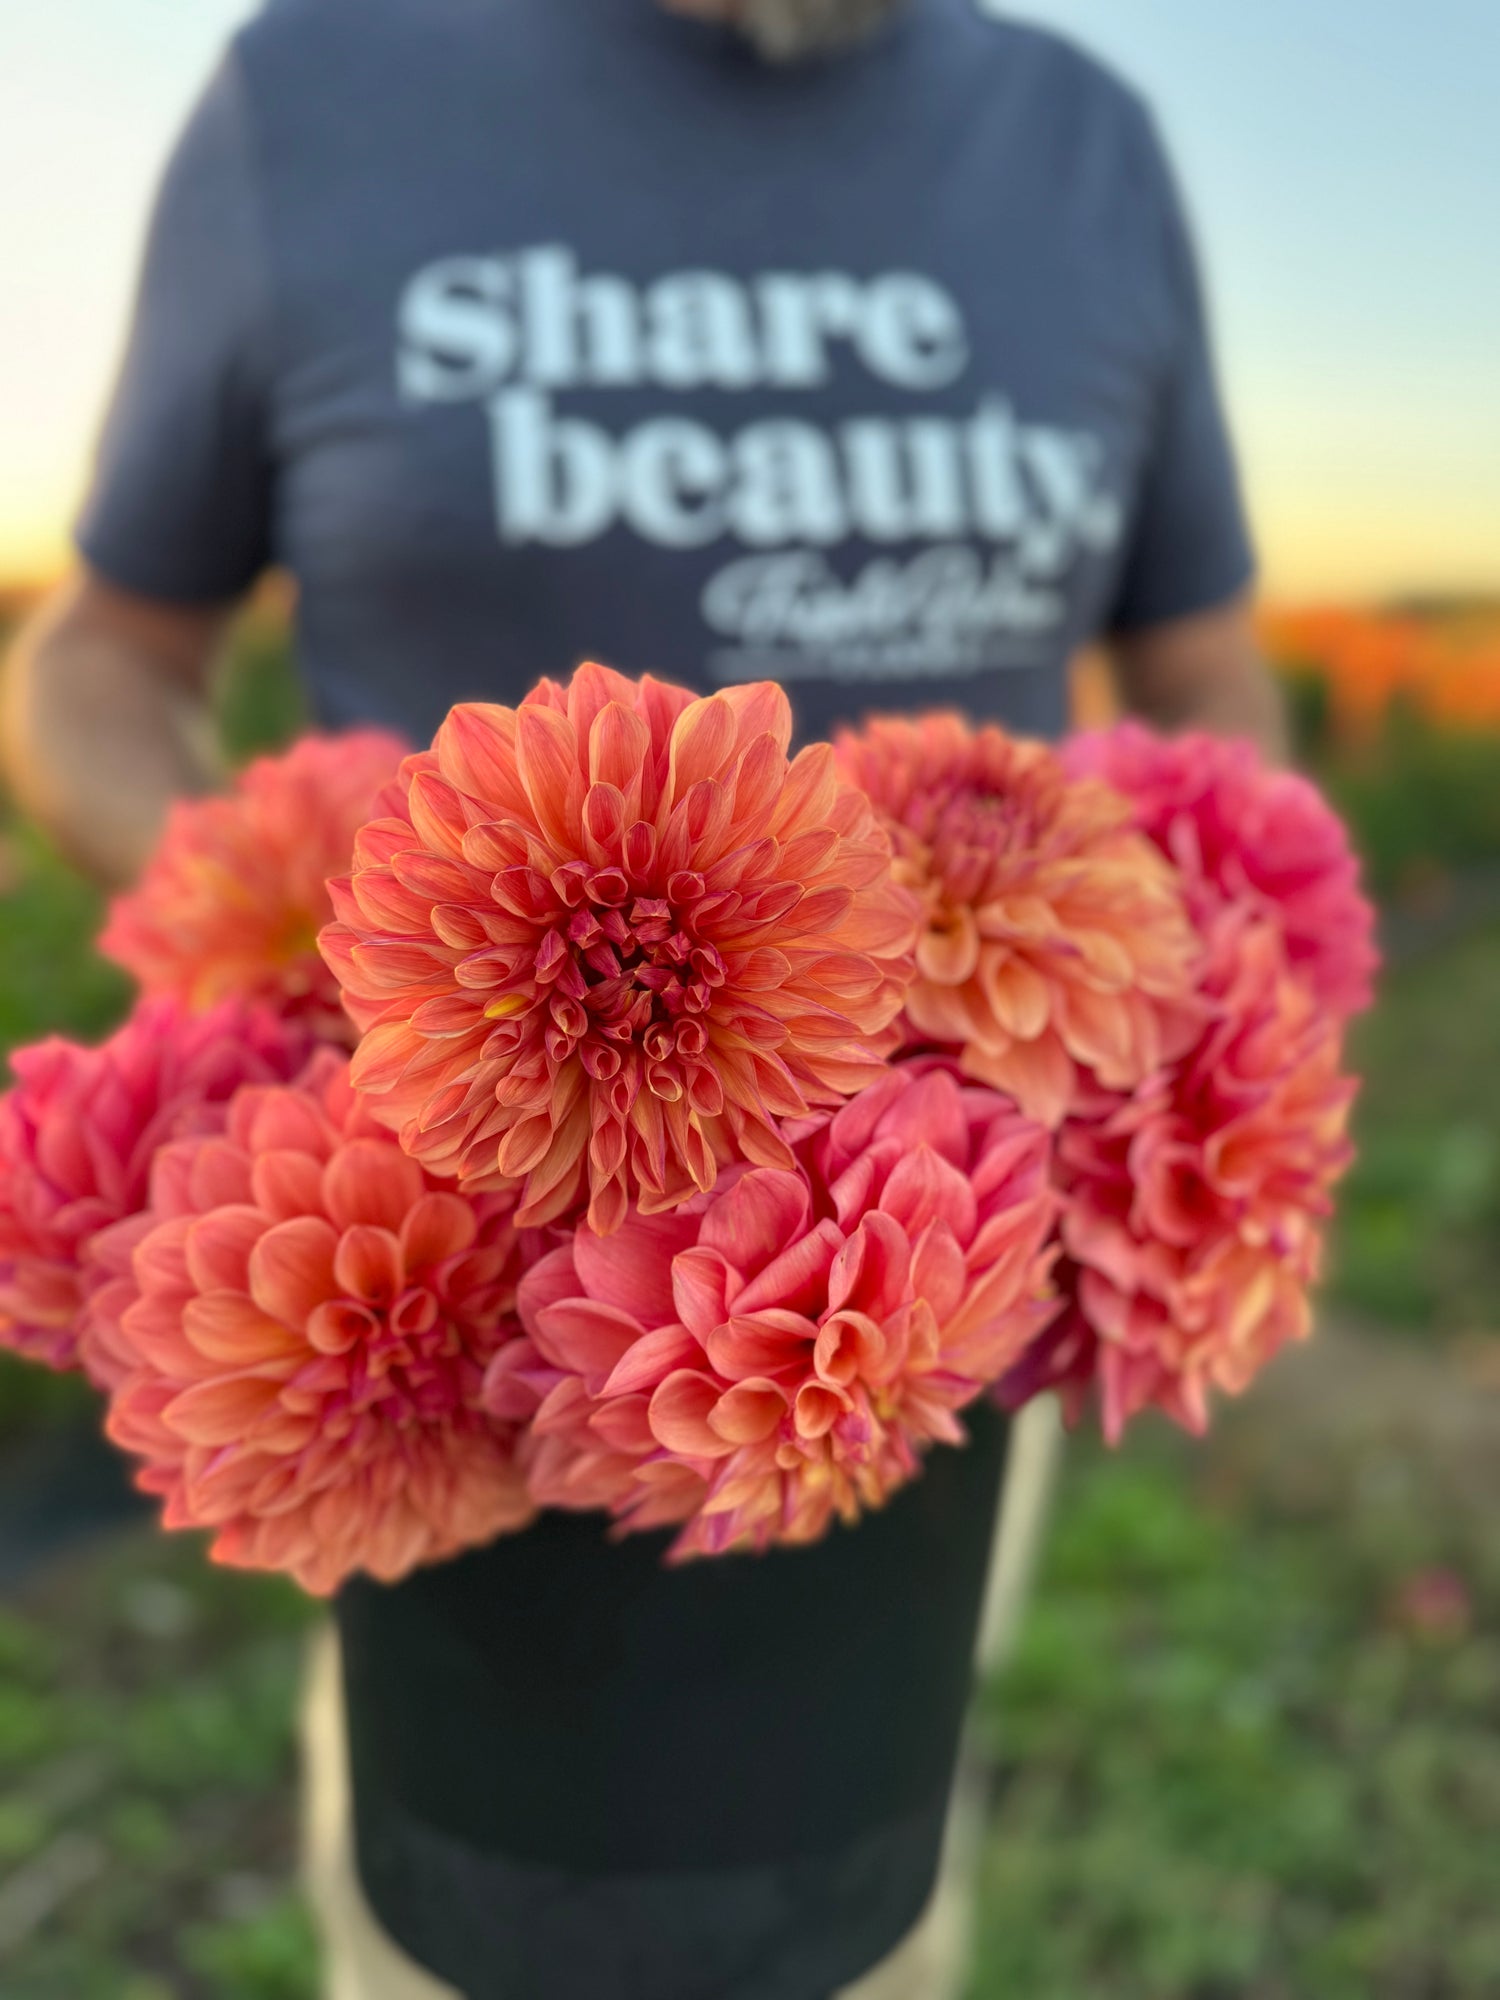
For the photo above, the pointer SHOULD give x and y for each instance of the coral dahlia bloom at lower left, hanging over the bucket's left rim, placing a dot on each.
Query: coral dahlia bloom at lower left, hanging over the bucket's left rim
(307, 1343)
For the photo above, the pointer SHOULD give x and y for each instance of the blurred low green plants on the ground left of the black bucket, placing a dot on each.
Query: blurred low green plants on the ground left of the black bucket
(147, 1713)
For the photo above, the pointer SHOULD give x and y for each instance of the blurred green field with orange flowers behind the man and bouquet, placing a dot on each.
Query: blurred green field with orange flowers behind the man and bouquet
(1251, 1743)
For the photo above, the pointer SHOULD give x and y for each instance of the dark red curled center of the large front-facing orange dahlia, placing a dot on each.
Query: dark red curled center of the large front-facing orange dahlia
(619, 973)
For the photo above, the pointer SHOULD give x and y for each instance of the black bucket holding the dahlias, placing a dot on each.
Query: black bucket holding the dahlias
(583, 1775)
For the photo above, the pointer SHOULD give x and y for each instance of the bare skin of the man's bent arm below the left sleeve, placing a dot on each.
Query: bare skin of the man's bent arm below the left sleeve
(105, 719)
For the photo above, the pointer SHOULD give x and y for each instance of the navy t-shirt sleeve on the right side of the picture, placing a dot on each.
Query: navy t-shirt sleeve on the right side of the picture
(1189, 545)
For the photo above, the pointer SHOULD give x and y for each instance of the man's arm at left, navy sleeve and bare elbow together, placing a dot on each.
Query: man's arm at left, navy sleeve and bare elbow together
(105, 707)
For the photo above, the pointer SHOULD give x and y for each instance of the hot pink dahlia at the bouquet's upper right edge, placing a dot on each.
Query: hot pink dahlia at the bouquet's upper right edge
(1247, 837)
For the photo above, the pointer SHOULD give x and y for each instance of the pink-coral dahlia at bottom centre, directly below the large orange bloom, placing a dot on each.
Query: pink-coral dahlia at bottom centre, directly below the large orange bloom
(781, 1351)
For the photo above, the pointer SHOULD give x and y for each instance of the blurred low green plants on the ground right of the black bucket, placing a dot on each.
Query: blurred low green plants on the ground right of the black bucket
(1229, 1771)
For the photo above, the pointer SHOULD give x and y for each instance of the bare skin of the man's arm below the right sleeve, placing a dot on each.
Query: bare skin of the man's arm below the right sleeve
(1203, 671)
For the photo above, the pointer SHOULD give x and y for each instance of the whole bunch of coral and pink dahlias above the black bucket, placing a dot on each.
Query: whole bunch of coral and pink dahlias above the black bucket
(609, 1109)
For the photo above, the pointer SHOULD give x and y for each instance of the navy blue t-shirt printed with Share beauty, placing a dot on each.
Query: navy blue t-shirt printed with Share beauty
(527, 331)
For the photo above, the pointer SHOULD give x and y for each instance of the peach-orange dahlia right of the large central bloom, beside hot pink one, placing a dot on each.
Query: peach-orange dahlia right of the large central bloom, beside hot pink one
(1057, 937)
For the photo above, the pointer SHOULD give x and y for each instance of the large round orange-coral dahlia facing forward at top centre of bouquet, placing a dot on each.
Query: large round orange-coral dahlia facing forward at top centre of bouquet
(607, 941)
